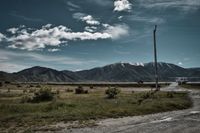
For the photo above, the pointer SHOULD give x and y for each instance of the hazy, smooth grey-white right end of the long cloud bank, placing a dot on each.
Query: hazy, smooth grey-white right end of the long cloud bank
(117, 31)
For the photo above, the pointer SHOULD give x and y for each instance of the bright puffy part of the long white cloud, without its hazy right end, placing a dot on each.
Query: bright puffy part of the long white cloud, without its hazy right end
(50, 36)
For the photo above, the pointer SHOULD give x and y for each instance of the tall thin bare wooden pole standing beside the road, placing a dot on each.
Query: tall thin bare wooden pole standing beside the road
(155, 58)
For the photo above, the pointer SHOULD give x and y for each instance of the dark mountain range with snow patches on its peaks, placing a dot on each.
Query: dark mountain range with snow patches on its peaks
(117, 72)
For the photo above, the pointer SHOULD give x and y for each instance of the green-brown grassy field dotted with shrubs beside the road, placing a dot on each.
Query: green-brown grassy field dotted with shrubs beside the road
(32, 105)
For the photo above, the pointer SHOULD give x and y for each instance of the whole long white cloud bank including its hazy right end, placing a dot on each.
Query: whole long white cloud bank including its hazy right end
(48, 36)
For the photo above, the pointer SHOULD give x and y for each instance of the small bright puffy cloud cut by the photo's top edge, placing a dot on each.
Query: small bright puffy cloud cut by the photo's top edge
(122, 5)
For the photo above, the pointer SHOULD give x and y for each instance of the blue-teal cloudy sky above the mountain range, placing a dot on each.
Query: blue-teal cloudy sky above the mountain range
(83, 34)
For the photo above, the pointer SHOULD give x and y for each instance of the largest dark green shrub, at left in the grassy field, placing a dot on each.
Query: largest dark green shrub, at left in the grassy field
(44, 94)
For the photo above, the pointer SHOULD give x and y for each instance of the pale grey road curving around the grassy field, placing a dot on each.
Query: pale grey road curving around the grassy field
(184, 121)
